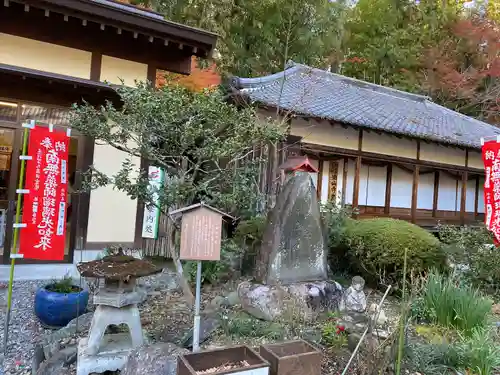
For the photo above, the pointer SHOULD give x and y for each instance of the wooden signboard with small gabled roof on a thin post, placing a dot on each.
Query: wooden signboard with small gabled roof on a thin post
(201, 234)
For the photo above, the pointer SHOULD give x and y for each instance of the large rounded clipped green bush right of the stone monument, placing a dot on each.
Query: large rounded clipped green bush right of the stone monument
(376, 248)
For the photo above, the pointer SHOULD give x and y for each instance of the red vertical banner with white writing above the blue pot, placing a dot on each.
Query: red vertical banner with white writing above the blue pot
(44, 208)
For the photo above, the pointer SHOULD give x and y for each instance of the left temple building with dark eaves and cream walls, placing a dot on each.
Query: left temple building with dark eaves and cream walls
(54, 53)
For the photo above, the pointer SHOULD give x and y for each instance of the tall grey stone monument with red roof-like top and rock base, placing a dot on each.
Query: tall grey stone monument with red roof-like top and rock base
(293, 256)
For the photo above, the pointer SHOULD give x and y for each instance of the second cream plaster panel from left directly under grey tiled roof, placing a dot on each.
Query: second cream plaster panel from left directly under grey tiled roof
(387, 145)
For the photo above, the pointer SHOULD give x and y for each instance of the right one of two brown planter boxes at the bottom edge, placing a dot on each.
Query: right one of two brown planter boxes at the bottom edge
(292, 358)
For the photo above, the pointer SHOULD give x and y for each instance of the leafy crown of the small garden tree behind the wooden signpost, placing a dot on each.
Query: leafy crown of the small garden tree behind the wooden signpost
(203, 143)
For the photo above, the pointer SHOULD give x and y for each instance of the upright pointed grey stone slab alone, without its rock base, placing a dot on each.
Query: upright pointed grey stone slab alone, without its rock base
(293, 237)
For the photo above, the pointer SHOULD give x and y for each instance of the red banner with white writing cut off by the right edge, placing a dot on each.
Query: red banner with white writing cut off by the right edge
(491, 159)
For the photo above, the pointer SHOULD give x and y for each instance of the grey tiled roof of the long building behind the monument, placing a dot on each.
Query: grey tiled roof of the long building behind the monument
(317, 93)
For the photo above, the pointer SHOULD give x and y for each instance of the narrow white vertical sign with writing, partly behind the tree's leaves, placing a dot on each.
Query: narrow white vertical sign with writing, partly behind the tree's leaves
(152, 212)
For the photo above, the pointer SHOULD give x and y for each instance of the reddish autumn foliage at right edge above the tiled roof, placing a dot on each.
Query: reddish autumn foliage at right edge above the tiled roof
(463, 71)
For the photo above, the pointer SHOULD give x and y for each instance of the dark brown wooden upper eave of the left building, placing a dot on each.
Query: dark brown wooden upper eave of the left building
(97, 24)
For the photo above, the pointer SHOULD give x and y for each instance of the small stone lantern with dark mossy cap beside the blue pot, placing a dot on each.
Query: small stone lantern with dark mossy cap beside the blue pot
(116, 304)
